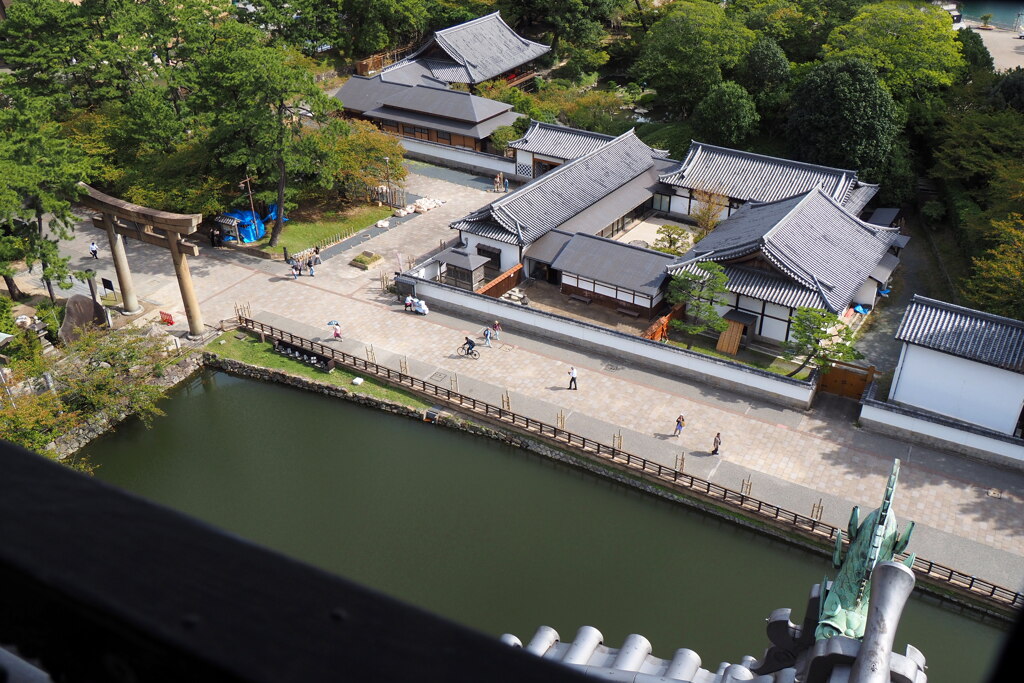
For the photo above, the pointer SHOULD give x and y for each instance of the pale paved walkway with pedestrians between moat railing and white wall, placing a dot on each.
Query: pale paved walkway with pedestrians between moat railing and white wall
(793, 458)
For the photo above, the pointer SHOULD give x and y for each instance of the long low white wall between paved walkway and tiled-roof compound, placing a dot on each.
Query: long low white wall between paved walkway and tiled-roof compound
(594, 336)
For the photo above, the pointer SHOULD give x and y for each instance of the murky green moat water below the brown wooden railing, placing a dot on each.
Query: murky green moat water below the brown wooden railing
(483, 534)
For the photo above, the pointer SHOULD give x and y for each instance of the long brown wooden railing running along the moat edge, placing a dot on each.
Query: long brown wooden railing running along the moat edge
(667, 476)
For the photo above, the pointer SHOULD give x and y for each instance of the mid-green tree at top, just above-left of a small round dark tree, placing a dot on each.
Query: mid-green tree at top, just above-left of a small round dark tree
(687, 52)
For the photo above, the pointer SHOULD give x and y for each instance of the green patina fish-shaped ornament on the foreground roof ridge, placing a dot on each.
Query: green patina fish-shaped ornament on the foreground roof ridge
(844, 610)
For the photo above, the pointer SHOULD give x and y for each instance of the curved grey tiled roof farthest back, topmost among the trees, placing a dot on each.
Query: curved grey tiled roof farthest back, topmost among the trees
(480, 51)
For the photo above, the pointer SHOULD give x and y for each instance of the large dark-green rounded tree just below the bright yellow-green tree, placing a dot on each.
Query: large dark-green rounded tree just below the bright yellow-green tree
(841, 116)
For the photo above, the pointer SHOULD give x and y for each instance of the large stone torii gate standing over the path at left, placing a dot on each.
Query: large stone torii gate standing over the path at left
(123, 220)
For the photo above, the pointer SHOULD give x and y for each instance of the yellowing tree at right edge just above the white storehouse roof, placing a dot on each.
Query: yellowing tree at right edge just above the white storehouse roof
(995, 284)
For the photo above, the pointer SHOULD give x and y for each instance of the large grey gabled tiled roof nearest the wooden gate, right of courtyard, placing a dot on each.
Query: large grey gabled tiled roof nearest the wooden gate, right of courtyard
(808, 238)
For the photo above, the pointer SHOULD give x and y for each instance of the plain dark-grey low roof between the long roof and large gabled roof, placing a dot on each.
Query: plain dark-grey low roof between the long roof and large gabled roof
(614, 264)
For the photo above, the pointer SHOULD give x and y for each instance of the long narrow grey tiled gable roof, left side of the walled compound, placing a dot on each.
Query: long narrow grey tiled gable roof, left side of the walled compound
(565, 193)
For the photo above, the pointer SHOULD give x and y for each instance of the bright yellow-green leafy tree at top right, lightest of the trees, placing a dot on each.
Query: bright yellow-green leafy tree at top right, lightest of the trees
(910, 46)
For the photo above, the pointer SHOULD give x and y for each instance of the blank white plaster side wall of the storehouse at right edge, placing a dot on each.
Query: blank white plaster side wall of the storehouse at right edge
(963, 390)
